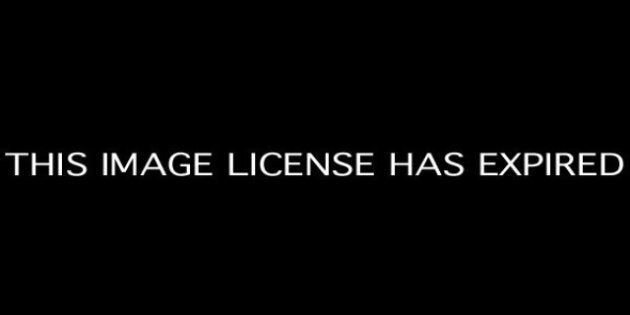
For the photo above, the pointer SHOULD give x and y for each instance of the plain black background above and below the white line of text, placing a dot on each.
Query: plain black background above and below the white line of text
(401, 80)
